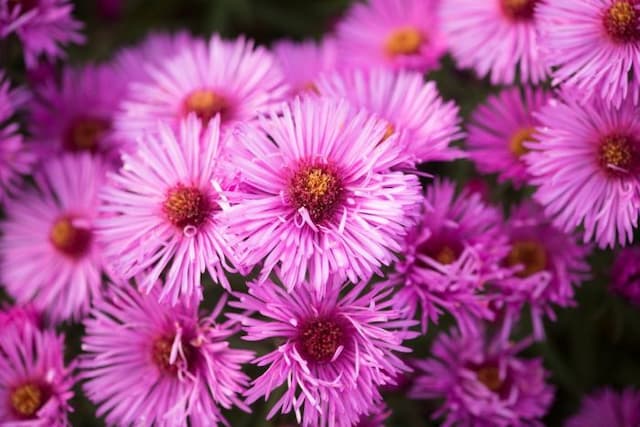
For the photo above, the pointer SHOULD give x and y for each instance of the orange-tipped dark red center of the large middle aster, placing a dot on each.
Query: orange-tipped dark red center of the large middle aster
(317, 188)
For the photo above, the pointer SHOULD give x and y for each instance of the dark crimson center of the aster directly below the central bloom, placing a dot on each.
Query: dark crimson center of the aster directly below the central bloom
(320, 339)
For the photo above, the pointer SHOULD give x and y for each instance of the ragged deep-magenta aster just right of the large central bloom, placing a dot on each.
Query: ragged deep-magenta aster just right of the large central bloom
(448, 256)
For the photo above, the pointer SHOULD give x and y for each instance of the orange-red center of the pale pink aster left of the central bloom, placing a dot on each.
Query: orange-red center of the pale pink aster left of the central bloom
(188, 206)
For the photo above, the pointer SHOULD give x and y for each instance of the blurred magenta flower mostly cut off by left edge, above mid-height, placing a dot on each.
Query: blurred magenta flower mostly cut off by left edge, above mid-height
(15, 158)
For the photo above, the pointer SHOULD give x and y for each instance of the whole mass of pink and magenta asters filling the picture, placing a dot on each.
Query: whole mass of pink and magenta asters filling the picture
(294, 179)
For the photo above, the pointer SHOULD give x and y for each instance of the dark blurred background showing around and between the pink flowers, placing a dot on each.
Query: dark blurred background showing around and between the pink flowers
(595, 344)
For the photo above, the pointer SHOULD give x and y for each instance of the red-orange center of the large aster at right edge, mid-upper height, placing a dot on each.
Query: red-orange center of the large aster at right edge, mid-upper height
(619, 154)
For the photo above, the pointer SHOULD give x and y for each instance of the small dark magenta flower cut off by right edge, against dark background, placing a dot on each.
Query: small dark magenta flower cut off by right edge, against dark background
(625, 274)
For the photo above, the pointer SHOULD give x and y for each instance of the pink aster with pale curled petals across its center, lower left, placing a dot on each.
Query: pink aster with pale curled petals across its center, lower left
(150, 363)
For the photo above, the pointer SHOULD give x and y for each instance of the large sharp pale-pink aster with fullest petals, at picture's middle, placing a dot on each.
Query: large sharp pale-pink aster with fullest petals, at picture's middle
(317, 195)
